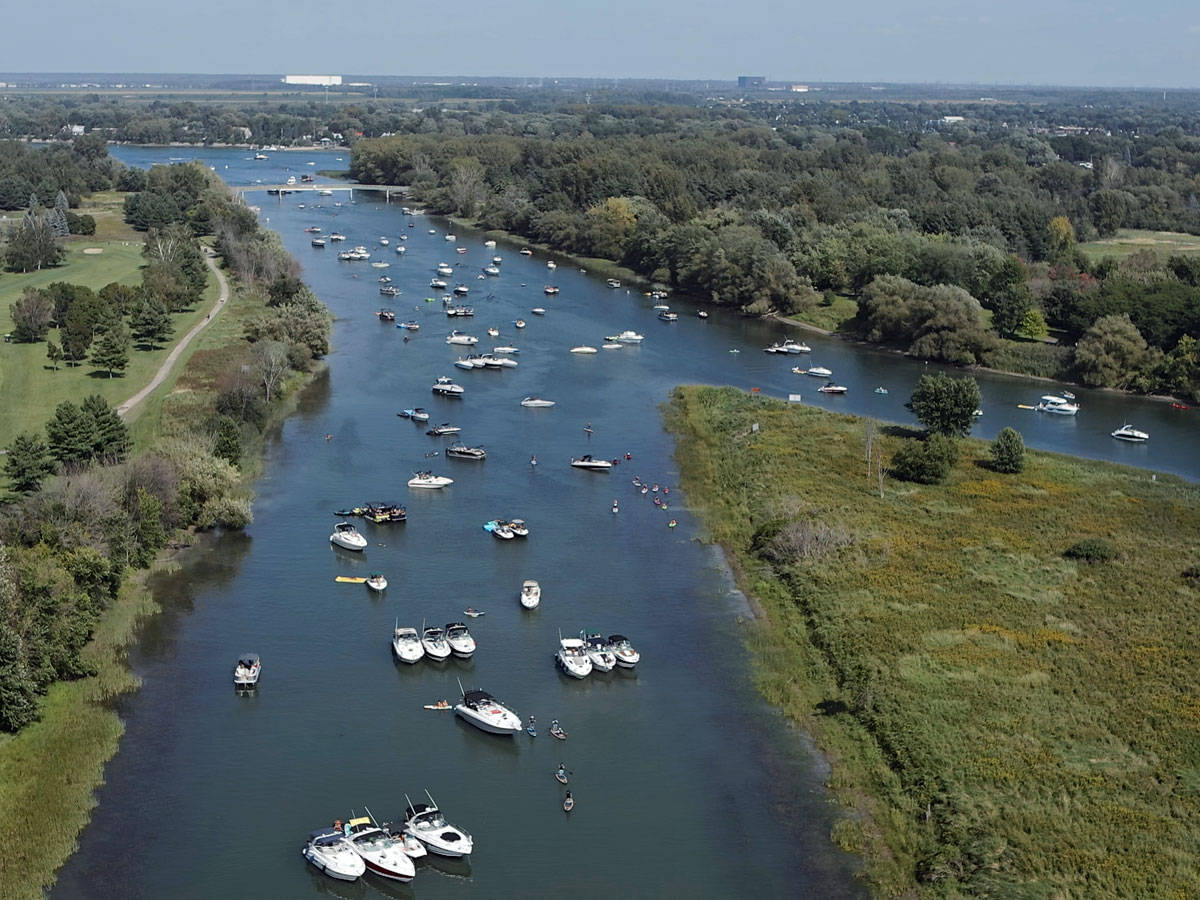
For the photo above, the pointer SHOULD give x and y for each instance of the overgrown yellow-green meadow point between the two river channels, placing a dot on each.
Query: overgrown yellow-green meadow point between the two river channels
(999, 718)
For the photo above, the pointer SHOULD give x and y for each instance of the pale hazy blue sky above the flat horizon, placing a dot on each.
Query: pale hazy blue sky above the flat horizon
(1061, 43)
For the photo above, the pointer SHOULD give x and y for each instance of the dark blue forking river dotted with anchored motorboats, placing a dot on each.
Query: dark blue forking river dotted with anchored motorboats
(687, 783)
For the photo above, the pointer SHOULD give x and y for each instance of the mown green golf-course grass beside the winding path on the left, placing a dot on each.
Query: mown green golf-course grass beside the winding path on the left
(31, 387)
